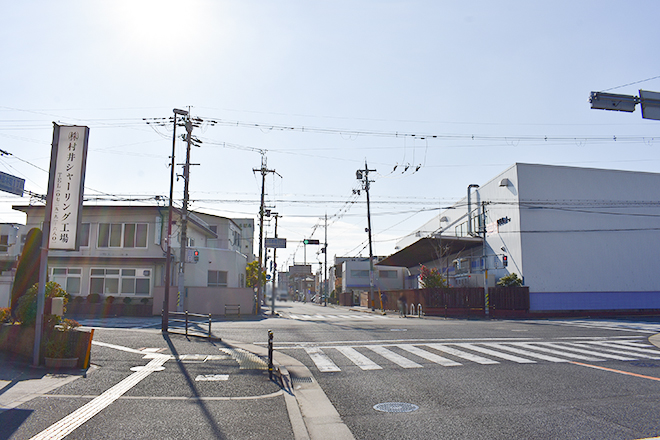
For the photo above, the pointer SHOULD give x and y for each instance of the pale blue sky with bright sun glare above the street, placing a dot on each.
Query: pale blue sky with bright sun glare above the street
(431, 95)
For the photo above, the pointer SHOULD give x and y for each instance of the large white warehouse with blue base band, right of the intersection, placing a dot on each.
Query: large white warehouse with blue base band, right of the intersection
(581, 239)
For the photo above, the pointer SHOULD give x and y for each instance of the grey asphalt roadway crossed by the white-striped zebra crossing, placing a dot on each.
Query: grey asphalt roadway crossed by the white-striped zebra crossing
(569, 383)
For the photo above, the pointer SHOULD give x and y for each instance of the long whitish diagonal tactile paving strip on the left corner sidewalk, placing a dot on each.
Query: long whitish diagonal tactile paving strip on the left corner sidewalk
(77, 418)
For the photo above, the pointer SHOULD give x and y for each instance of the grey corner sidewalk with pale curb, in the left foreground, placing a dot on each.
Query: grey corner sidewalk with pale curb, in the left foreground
(29, 394)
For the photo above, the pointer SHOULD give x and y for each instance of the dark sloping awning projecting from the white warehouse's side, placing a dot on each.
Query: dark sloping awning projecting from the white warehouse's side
(428, 249)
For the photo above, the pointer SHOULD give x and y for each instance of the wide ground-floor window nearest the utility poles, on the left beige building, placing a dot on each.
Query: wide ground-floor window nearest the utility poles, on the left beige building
(126, 282)
